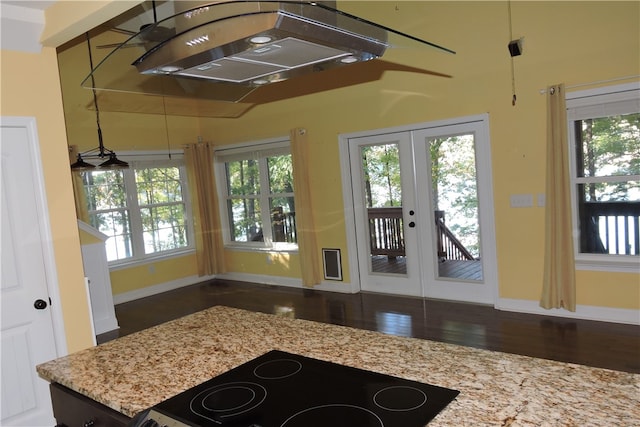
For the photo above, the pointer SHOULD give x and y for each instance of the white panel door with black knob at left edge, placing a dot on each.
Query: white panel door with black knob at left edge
(27, 325)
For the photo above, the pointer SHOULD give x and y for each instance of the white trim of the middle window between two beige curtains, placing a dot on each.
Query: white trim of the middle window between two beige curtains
(224, 153)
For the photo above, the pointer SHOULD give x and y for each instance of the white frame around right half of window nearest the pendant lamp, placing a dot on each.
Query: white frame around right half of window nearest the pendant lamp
(143, 160)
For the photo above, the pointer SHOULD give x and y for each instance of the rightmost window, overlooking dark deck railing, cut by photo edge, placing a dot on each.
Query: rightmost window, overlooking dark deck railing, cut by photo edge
(604, 133)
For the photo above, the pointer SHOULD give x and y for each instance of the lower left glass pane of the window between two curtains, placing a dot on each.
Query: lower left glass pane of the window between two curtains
(244, 218)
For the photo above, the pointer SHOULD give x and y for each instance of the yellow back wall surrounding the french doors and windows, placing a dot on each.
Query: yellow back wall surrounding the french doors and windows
(570, 42)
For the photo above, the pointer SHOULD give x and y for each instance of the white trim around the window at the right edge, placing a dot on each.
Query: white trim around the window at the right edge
(579, 103)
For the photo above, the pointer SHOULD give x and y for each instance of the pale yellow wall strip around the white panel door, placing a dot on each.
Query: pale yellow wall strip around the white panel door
(30, 87)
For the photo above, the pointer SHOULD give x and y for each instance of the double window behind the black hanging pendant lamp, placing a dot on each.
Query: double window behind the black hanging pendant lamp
(142, 209)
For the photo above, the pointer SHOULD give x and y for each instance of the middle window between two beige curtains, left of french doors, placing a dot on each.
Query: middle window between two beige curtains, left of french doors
(256, 184)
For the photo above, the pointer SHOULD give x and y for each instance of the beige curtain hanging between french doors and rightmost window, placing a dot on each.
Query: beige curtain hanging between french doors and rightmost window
(559, 287)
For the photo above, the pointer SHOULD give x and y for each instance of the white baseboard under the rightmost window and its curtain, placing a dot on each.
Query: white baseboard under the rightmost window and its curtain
(585, 312)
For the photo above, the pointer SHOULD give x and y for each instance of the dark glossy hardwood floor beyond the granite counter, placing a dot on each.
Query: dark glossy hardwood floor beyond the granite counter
(598, 344)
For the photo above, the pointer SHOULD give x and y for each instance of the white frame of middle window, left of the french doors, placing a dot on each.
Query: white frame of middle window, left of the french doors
(257, 150)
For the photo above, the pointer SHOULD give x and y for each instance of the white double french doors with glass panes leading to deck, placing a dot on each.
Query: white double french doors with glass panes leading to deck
(423, 211)
